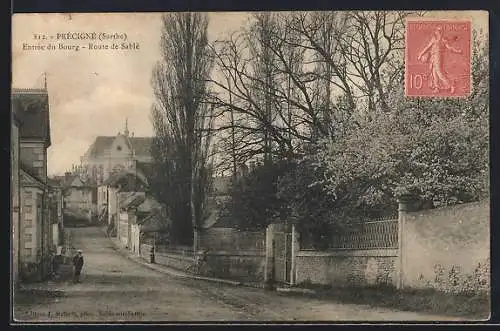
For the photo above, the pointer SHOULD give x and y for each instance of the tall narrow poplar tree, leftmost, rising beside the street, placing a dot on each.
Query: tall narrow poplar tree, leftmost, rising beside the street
(182, 119)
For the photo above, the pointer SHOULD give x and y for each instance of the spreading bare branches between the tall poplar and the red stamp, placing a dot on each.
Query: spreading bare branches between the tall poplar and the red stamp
(296, 77)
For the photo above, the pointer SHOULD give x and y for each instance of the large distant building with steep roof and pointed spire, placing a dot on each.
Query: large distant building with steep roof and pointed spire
(109, 154)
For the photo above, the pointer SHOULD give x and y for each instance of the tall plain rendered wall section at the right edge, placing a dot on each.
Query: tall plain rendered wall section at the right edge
(446, 243)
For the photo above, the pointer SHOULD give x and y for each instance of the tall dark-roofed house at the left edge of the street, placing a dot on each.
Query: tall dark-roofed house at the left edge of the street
(31, 107)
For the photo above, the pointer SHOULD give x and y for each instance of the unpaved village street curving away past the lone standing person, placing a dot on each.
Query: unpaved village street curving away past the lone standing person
(115, 288)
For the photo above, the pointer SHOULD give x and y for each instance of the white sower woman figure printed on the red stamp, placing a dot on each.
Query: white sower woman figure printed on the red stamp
(434, 52)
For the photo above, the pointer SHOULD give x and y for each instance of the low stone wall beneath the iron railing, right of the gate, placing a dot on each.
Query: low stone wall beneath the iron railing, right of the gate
(347, 268)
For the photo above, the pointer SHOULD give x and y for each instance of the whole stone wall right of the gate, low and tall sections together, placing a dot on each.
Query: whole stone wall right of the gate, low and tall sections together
(444, 248)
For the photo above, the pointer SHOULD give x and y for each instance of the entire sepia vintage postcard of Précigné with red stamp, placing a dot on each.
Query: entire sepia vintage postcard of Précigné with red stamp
(250, 167)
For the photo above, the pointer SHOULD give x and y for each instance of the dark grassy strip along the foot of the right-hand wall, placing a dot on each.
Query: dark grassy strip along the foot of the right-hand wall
(473, 307)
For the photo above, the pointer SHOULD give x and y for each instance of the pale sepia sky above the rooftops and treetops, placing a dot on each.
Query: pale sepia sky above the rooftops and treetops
(92, 92)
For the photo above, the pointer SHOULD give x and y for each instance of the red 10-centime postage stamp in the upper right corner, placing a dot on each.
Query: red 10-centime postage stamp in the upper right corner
(438, 58)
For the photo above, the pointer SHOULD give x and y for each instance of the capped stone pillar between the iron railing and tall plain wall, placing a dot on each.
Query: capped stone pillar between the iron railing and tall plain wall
(403, 208)
